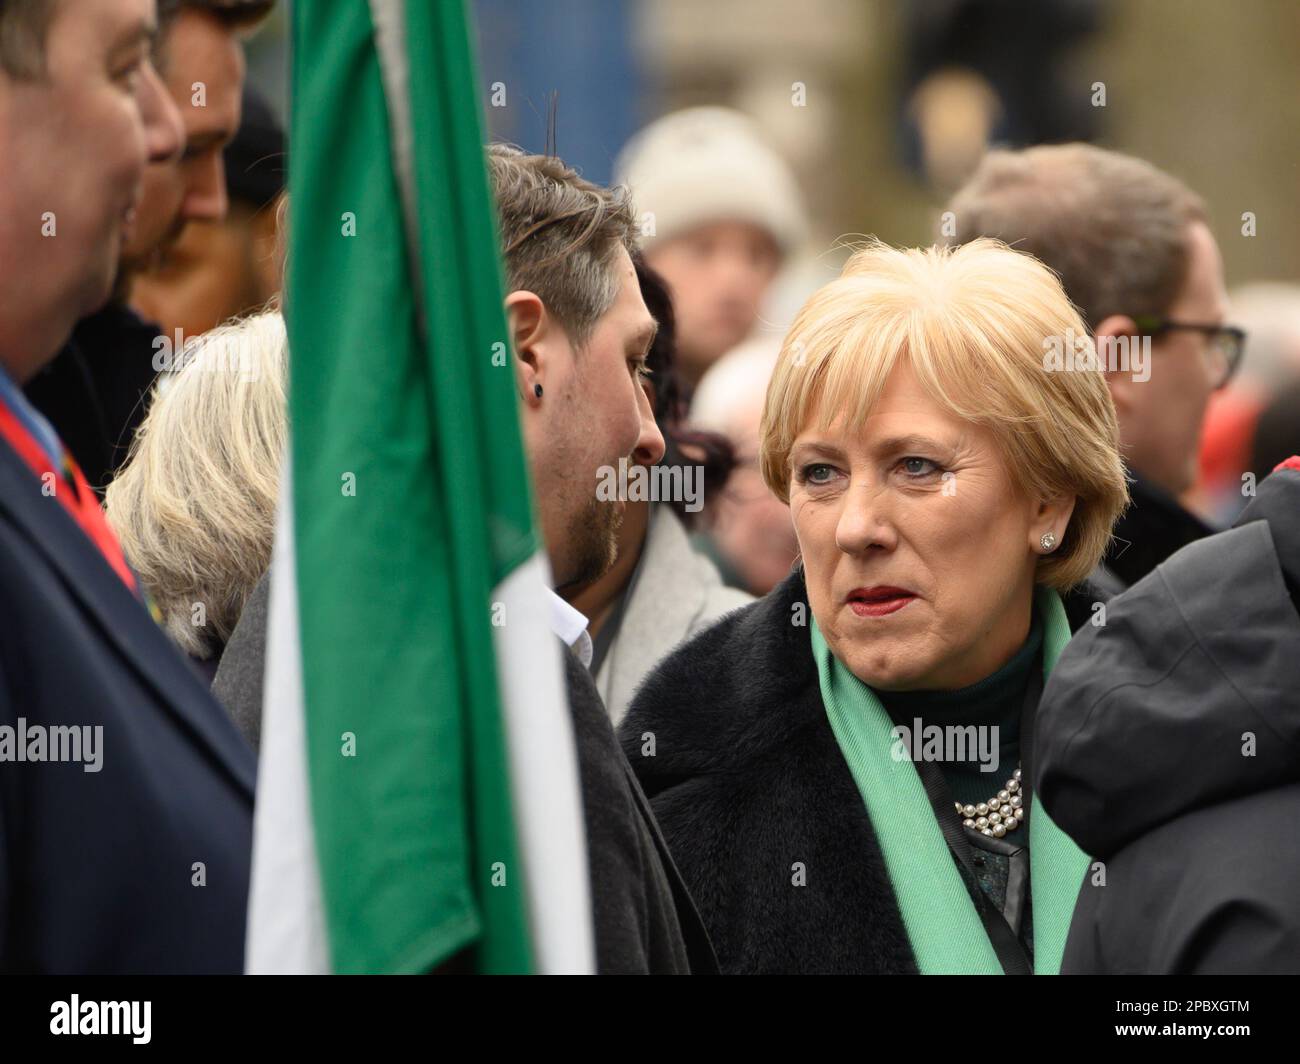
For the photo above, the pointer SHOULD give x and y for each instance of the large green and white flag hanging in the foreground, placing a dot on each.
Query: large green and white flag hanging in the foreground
(418, 793)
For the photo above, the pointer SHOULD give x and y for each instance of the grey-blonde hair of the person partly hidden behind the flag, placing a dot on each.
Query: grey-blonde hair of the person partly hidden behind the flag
(196, 504)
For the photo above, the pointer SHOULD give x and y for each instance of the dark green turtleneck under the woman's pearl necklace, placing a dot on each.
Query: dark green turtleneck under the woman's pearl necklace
(995, 702)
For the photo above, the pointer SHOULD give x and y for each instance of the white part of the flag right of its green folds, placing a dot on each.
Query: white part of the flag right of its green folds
(547, 799)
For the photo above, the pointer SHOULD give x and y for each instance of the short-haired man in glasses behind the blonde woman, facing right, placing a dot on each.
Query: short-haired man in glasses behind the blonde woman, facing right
(1136, 253)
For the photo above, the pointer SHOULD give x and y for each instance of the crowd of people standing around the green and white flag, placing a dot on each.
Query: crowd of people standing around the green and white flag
(946, 673)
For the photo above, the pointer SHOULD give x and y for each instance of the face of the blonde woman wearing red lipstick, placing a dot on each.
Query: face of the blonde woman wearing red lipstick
(918, 548)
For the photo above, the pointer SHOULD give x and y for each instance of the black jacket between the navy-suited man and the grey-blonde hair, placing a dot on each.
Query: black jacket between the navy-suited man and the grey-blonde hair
(96, 392)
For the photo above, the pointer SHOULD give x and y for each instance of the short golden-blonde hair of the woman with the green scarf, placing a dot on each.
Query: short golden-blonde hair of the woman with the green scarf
(974, 323)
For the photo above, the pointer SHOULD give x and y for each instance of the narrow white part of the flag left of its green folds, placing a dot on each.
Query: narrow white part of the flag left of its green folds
(287, 922)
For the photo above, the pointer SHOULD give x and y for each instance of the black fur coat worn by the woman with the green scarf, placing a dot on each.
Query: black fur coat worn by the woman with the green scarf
(755, 795)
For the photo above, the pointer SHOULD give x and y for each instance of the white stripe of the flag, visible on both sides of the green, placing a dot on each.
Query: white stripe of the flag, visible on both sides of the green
(287, 927)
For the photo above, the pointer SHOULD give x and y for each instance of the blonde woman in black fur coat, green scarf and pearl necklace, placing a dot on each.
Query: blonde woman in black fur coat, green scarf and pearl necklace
(838, 768)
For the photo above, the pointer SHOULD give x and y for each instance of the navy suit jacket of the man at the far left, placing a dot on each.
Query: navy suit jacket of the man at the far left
(98, 868)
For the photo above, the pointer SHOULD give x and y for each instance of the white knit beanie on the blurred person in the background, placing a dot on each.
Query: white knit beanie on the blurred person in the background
(710, 165)
